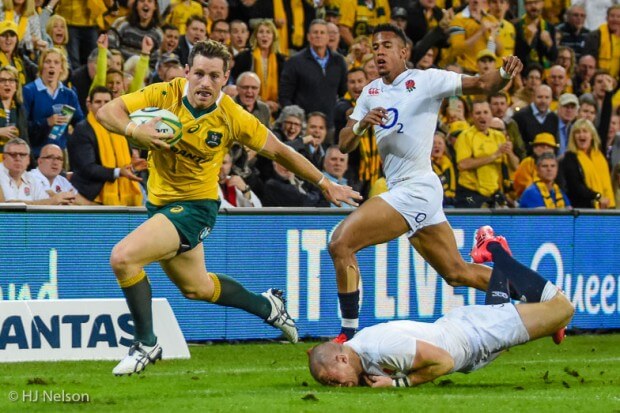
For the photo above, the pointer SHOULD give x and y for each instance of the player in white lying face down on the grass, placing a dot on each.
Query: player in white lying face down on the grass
(408, 353)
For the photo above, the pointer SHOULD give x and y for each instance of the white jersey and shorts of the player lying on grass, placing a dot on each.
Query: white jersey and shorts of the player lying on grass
(473, 335)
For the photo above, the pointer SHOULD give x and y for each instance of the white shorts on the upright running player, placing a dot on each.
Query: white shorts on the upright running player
(419, 200)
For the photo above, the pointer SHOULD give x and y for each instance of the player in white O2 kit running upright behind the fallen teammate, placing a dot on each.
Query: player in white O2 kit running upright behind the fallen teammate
(402, 107)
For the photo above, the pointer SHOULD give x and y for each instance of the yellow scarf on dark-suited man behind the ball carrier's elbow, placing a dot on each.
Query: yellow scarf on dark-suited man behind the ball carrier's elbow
(114, 153)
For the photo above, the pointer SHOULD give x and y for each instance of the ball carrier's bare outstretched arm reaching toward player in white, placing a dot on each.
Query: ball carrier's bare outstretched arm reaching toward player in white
(300, 166)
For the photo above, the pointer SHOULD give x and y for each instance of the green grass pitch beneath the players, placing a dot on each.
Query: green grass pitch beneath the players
(581, 375)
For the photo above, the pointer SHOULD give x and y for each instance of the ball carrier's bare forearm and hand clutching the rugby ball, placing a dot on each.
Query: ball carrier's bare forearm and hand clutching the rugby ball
(114, 116)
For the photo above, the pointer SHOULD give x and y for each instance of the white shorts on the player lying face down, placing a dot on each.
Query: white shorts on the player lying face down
(489, 329)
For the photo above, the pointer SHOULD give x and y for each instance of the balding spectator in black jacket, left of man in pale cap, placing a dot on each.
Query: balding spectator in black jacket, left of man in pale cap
(537, 117)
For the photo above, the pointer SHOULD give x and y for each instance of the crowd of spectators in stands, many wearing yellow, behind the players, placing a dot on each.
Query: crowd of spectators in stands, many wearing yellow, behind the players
(550, 139)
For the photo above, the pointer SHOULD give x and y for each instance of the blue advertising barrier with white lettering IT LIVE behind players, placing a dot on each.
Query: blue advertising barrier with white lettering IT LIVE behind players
(46, 254)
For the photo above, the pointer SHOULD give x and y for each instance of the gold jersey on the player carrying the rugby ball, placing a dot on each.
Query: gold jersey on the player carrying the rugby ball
(189, 170)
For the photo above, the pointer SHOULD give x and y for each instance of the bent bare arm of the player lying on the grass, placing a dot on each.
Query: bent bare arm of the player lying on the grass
(430, 362)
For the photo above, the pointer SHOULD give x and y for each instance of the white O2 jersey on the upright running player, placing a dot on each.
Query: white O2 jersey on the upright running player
(413, 100)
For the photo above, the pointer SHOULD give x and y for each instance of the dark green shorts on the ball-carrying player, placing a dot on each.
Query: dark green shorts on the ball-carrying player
(193, 220)
